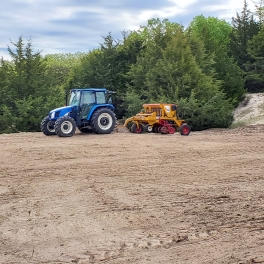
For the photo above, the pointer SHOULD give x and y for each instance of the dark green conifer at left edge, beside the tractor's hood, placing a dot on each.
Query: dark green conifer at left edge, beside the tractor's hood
(26, 91)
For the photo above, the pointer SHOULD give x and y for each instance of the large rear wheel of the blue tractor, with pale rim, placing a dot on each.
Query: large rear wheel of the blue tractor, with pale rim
(103, 121)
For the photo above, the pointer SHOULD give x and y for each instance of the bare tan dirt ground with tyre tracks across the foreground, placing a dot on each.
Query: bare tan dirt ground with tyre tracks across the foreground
(127, 198)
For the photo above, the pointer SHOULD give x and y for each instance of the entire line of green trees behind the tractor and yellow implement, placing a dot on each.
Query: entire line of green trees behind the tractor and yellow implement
(205, 68)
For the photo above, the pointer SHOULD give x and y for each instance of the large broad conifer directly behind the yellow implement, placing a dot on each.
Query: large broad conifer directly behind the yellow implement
(170, 72)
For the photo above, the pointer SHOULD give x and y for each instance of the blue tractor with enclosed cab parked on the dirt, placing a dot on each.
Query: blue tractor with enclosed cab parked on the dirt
(89, 109)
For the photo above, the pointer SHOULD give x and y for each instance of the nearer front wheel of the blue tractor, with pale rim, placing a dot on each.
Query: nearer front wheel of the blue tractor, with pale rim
(65, 126)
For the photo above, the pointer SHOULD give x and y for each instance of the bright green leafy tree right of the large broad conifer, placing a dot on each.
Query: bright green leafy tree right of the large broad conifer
(215, 34)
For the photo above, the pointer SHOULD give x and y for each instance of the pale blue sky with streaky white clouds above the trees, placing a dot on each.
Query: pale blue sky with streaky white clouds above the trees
(69, 26)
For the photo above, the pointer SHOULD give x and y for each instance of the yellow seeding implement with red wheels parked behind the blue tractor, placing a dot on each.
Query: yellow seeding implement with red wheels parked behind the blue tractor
(158, 118)
